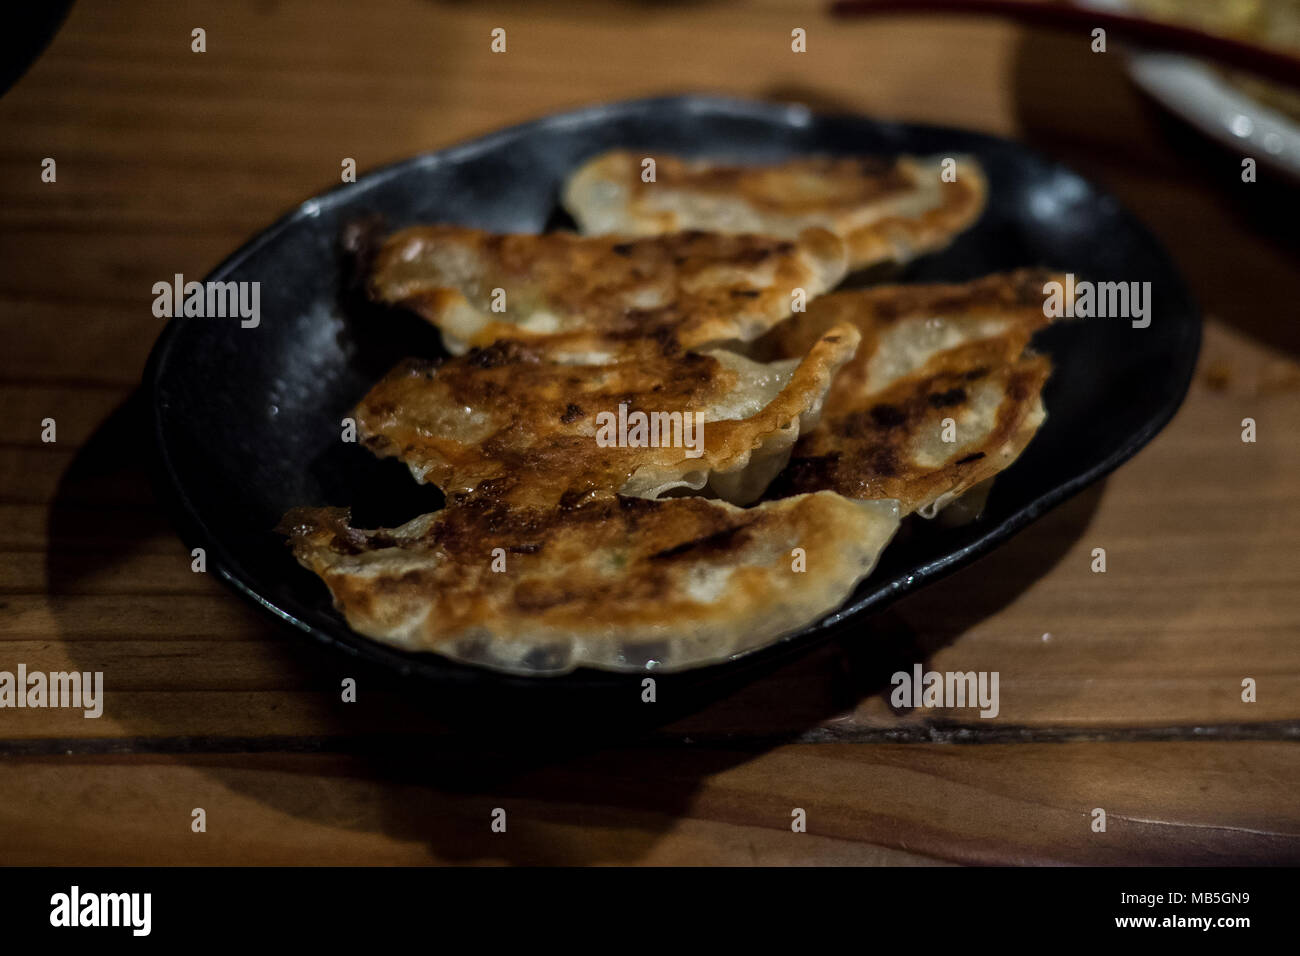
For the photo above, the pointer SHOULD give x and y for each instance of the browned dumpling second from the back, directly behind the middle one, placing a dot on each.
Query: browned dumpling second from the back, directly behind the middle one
(695, 288)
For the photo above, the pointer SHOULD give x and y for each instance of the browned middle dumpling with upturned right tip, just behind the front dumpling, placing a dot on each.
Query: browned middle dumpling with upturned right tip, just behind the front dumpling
(556, 417)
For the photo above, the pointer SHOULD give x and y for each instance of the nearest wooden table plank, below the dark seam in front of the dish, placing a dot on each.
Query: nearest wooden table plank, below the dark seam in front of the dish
(865, 804)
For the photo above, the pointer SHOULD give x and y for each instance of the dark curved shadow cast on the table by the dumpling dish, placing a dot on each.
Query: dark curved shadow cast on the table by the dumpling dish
(431, 756)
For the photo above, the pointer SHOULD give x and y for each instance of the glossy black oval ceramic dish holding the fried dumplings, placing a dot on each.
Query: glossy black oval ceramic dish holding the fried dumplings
(246, 421)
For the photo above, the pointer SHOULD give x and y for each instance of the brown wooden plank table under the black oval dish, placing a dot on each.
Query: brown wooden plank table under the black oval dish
(1121, 691)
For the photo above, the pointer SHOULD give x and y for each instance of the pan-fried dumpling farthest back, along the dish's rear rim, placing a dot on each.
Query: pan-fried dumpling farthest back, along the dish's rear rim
(885, 209)
